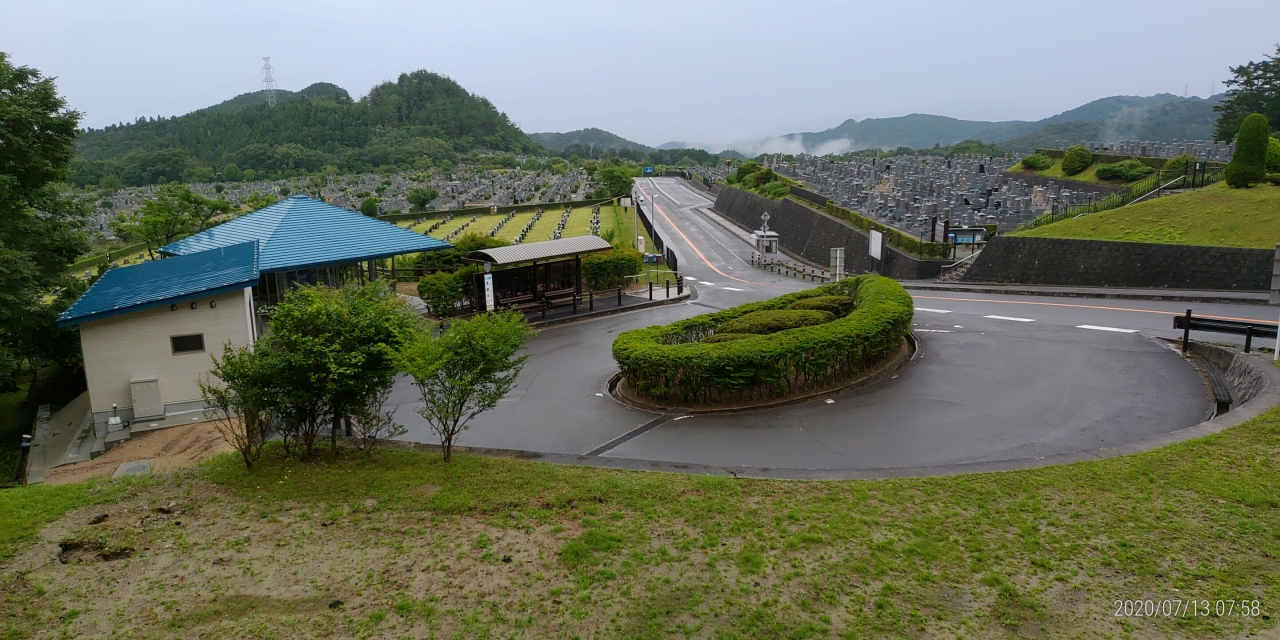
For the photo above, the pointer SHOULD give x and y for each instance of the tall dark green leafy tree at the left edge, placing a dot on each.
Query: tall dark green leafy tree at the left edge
(42, 232)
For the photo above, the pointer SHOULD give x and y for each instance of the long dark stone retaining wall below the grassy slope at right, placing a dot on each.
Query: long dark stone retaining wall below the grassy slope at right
(1081, 263)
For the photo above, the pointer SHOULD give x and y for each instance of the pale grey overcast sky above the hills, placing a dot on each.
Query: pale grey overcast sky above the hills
(656, 71)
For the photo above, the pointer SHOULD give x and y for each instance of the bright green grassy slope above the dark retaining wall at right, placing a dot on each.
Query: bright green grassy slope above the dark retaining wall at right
(1217, 216)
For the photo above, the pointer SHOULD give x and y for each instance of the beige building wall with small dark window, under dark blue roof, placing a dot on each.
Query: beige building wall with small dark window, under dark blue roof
(136, 346)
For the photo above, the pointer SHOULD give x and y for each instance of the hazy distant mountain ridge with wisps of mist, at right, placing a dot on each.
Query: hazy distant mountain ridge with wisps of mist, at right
(1163, 117)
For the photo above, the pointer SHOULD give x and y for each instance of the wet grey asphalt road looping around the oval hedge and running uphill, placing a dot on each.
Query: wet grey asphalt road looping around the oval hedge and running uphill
(999, 378)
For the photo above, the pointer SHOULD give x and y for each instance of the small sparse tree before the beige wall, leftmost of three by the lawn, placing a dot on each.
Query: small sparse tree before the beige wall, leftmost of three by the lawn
(244, 406)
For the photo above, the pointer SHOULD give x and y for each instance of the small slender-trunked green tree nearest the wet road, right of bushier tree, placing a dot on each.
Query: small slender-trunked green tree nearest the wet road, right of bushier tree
(467, 372)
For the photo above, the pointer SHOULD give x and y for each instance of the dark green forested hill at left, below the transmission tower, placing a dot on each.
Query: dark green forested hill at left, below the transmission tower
(420, 121)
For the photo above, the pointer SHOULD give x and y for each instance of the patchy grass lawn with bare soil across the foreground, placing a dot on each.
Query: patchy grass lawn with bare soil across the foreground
(406, 546)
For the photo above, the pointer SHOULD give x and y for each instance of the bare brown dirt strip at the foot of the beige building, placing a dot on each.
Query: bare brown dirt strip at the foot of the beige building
(172, 449)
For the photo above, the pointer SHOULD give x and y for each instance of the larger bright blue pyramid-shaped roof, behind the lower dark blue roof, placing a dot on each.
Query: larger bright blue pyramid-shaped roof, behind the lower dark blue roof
(300, 232)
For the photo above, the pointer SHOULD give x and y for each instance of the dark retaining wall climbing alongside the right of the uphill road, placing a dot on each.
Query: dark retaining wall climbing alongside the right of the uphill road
(810, 235)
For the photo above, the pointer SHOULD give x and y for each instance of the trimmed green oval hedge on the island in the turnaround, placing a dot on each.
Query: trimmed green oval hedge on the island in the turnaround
(670, 363)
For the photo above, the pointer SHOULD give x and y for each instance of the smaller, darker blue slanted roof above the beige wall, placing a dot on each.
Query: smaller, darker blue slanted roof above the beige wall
(166, 282)
